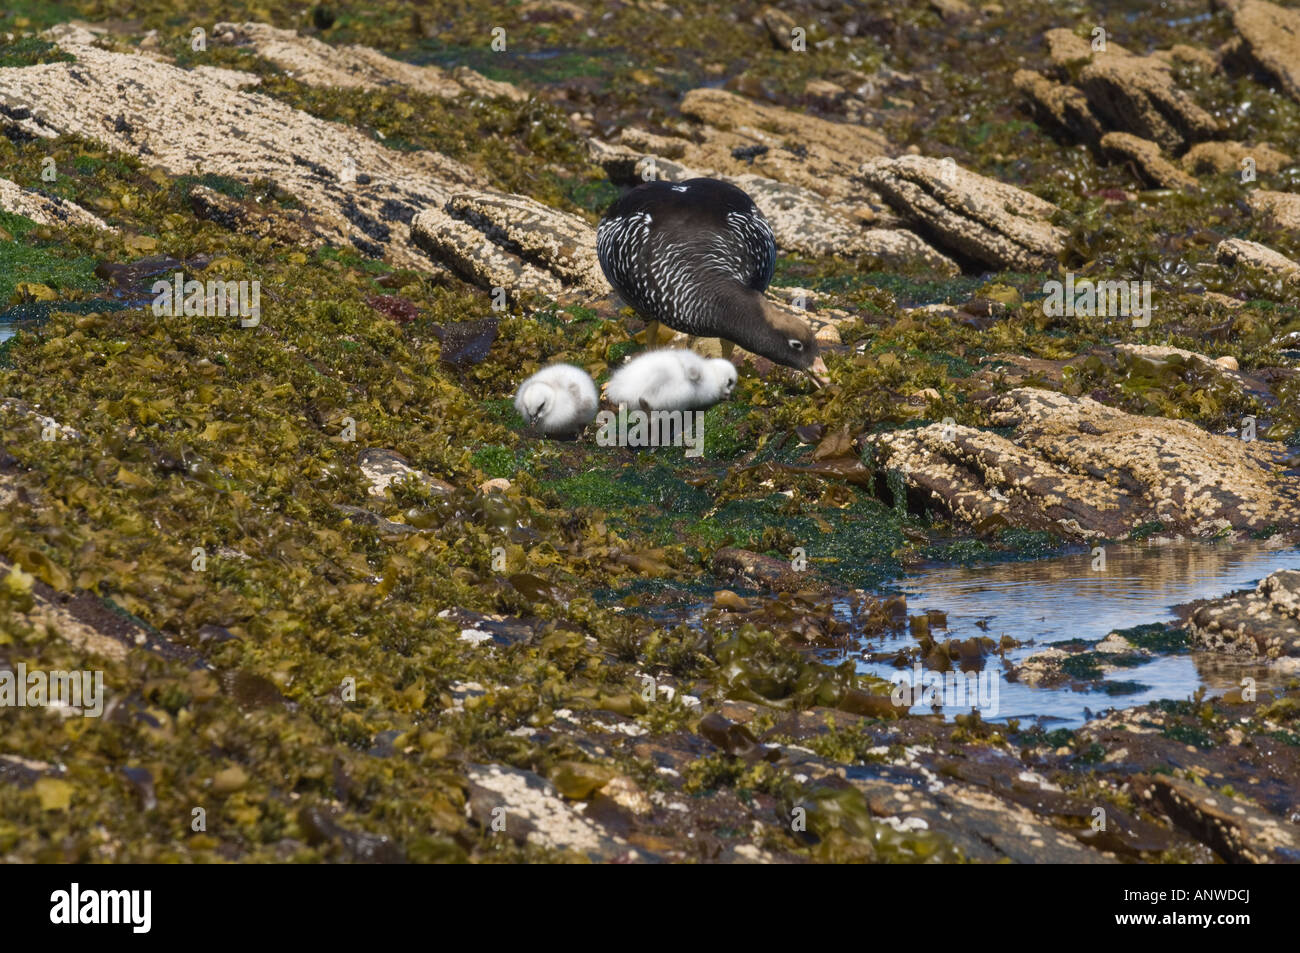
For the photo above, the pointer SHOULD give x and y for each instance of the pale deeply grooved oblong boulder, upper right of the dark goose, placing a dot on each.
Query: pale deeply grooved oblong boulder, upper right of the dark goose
(980, 218)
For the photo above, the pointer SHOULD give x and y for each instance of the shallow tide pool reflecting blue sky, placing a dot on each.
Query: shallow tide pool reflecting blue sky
(1063, 599)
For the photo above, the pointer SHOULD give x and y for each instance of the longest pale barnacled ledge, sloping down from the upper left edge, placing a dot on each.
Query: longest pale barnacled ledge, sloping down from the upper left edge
(356, 190)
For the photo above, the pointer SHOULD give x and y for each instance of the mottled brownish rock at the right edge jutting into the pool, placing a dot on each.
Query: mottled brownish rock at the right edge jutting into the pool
(1263, 623)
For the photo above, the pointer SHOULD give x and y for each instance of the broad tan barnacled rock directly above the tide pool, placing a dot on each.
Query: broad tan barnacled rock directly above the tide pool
(1087, 471)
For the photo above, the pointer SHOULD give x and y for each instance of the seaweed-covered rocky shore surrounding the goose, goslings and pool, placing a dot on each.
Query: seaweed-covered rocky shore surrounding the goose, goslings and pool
(348, 609)
